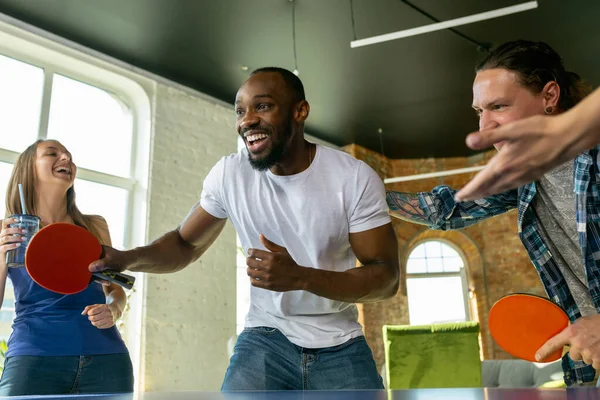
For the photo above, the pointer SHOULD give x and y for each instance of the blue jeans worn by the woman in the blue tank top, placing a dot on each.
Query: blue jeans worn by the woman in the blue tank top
(39, 375)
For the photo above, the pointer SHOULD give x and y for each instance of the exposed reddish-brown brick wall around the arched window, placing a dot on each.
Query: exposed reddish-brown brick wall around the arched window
(497, 263)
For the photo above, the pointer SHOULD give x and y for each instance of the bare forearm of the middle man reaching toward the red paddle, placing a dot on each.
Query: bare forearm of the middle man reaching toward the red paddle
(169, 253)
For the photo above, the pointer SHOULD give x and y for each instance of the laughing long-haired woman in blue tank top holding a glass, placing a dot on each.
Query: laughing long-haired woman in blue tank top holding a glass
(60, 344)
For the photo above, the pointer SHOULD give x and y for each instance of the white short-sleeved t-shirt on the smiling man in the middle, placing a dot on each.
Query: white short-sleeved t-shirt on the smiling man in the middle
(310, 214)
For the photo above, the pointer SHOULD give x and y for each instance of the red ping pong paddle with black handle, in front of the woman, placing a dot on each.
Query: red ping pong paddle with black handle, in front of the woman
(58, 256)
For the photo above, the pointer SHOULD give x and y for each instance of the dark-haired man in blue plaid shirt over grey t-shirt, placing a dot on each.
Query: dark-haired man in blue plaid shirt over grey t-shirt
(558, 215)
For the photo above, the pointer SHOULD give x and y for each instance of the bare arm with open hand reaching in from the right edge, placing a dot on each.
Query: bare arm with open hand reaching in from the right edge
(532, 147)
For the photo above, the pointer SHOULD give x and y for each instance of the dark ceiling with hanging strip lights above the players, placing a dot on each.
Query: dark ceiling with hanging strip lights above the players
(417, 89)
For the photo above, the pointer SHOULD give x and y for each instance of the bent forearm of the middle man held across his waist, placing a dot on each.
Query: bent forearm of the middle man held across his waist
(364, 284)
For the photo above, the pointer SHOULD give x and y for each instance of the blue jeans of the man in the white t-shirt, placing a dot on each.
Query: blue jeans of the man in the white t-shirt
(264, 359)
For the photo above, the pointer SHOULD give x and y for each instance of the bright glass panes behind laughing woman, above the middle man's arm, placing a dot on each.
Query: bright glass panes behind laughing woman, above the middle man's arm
(94, 124)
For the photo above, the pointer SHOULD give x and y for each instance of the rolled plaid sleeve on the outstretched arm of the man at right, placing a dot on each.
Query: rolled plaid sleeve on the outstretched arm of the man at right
(444, 213)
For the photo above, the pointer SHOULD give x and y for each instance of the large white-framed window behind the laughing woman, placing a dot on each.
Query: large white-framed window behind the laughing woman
(102, 118)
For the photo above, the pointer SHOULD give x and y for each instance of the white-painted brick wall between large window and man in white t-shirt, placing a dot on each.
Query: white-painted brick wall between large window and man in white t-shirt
(191, 314)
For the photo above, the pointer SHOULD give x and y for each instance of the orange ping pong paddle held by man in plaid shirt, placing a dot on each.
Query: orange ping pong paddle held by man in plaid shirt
(522, 323)
